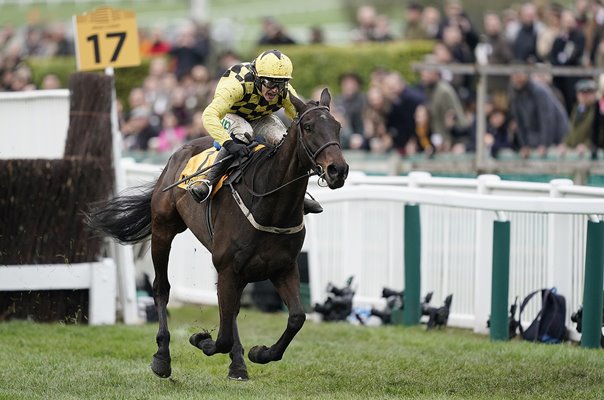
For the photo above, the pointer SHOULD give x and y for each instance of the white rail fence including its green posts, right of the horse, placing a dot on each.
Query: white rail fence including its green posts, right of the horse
(514, 237)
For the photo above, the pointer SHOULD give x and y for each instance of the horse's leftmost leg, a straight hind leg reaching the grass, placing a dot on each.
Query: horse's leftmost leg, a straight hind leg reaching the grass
(160, 250)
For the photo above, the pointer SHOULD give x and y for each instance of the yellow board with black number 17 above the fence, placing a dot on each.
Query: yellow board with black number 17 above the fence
(106, 37)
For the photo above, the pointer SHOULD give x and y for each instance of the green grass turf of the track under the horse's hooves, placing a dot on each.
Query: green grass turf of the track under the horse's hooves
(325, 361)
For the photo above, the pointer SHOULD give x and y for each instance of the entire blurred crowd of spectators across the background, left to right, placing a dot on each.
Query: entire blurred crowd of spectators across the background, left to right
(525, 113)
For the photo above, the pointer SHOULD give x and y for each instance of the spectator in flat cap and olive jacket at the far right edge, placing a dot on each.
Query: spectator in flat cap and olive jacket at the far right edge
(582, 118)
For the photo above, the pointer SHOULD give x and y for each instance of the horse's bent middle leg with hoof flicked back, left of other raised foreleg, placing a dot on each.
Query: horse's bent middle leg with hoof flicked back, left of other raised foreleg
(229, 296)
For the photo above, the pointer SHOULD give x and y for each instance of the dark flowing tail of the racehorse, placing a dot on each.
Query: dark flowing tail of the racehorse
(127, 218)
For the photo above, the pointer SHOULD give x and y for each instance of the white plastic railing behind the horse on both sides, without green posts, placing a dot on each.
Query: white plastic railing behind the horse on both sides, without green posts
(361, 234)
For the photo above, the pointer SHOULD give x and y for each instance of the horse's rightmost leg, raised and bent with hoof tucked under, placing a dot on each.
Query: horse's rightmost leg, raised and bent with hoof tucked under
(288, 286)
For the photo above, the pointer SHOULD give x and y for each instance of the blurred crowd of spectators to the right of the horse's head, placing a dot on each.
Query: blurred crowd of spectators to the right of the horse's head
(524, 112)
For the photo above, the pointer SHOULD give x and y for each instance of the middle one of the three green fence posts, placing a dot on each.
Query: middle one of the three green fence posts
(500, 281)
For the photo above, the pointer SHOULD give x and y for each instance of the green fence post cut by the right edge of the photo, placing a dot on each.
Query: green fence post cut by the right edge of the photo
(592, 287)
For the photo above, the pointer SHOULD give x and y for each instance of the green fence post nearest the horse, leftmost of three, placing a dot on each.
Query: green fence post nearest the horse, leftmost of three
(412, 312)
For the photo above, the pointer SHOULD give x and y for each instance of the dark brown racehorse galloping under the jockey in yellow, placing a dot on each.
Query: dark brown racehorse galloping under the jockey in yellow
(254, 233)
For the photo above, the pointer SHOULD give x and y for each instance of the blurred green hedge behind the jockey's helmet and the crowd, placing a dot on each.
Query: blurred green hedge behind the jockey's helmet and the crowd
(314, 65)
